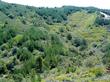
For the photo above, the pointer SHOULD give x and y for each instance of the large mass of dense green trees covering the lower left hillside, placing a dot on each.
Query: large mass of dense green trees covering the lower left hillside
(35, 48)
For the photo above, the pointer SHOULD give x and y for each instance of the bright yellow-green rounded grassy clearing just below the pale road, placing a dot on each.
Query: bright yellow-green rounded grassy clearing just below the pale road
(82, 24)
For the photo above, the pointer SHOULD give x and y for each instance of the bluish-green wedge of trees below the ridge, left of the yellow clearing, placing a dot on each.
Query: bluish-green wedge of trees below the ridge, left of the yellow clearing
(60, 14)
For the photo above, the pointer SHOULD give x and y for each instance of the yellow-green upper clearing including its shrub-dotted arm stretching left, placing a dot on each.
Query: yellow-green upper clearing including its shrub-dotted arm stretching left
(80, 24)
